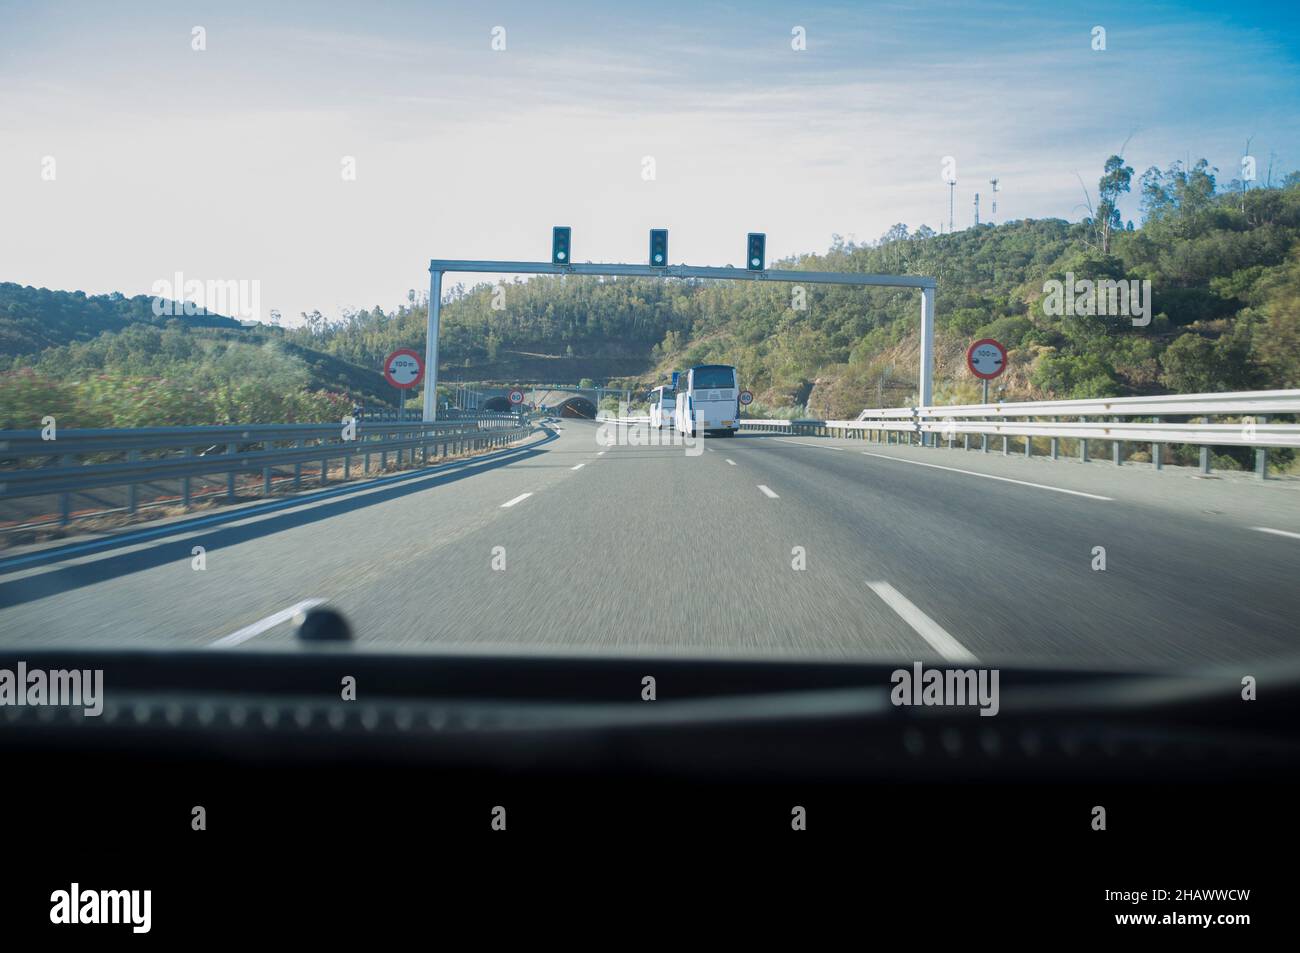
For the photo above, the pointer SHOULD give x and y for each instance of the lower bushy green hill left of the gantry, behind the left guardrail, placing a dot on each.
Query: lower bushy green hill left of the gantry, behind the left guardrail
(119, 365)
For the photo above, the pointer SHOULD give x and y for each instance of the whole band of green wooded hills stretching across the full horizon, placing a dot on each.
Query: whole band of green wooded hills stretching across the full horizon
(1224, 267)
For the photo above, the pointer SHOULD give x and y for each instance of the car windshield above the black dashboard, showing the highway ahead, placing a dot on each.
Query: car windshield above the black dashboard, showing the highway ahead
(973, 405)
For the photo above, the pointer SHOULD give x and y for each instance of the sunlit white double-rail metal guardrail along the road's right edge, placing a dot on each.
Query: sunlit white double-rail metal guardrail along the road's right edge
(1006, 421)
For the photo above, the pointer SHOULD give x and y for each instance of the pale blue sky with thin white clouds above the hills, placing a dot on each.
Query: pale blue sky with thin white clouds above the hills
(226, 163)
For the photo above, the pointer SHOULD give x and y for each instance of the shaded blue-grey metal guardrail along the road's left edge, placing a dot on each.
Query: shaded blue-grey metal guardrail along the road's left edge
(75, 461)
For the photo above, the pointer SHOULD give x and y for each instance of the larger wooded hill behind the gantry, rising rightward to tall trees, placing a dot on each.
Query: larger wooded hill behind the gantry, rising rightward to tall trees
(1224, 271)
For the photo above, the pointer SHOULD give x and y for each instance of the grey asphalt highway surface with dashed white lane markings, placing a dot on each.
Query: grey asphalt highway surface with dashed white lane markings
(909, 553)
